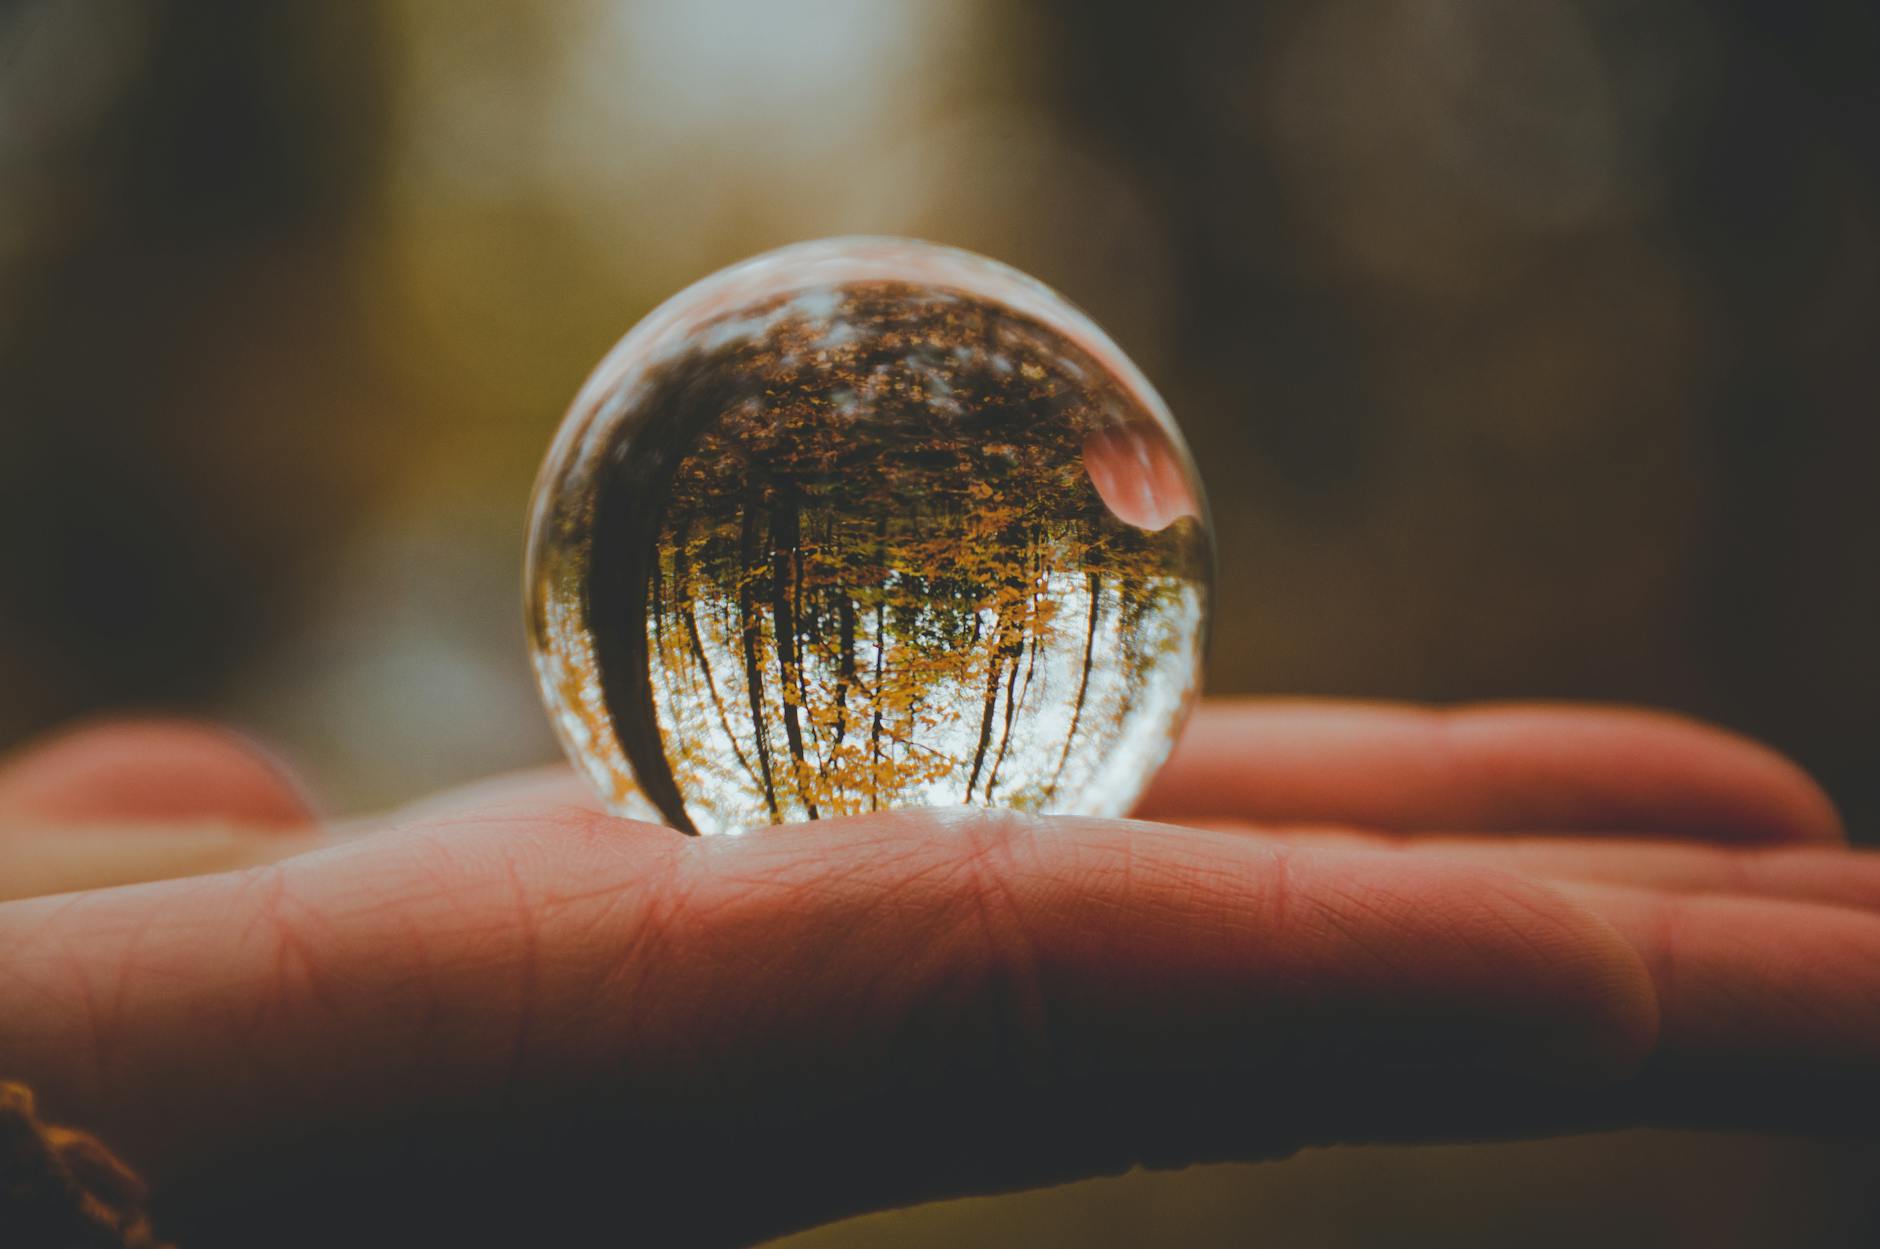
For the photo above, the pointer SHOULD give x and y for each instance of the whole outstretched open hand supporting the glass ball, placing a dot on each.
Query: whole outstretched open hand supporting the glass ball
(505, 1015)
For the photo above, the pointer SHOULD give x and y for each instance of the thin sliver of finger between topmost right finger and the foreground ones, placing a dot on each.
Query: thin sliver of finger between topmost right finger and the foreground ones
(1834, 876)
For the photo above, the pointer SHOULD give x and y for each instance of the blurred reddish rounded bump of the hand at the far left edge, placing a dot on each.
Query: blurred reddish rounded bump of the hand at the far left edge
(133, 772)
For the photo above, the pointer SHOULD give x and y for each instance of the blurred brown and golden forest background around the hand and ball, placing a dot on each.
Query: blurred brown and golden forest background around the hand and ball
(1527, 351)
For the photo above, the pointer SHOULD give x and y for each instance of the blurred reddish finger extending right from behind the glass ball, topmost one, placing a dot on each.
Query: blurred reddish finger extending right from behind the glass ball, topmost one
(1509, 768)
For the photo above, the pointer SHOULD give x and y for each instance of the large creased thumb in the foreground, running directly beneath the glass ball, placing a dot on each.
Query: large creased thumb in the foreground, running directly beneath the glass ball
(730, 992)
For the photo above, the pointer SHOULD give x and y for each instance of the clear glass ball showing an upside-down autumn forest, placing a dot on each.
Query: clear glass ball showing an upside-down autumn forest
(868, 524)
